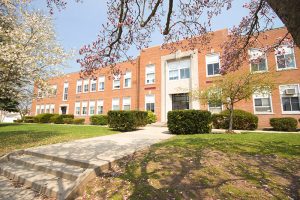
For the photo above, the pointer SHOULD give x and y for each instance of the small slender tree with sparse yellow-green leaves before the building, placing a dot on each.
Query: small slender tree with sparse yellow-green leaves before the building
(235, 87)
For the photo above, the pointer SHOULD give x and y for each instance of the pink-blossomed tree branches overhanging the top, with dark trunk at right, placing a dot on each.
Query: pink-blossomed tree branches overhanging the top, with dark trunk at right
(131, 22)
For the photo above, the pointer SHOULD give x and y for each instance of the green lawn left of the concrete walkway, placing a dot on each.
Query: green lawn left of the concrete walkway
(20, 136)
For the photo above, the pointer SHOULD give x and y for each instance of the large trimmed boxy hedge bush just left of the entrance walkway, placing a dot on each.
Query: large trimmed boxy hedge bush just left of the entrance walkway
(126, 120)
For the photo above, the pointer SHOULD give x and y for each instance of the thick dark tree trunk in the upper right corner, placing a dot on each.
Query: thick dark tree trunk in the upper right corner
(289, 13)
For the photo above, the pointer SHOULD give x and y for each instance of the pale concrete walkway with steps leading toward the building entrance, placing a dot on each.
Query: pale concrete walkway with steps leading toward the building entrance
(60, 170)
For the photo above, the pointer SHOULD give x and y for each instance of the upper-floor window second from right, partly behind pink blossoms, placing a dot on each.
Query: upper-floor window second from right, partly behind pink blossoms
(258, 60)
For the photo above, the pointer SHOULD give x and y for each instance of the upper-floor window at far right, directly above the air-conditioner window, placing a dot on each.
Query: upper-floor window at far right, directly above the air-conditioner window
(285, 58)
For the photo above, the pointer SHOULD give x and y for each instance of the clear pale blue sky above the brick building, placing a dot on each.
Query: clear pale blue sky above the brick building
(79, 24)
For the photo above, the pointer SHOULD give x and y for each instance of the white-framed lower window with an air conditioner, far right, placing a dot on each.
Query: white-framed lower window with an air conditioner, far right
(290, 99)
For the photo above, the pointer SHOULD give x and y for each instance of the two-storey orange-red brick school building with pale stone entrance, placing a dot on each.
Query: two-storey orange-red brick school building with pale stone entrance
(160, 81)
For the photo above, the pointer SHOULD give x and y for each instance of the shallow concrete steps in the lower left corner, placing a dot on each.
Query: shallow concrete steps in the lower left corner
(49, 176)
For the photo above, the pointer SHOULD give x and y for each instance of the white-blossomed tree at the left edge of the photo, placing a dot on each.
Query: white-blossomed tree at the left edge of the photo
(29, 52)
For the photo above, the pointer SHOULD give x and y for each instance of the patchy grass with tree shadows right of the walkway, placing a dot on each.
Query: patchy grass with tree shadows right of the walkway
(207, 166)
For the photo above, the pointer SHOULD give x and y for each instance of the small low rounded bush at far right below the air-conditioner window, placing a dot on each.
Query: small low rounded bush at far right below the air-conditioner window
(284, 124)
